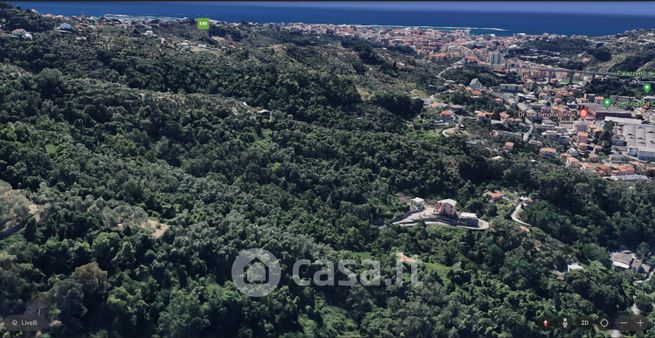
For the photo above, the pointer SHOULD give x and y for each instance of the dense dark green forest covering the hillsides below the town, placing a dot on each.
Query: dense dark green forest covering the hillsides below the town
(139, 169)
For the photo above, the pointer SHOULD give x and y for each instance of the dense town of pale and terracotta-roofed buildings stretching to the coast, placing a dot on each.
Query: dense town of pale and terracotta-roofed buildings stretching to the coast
(549, 99)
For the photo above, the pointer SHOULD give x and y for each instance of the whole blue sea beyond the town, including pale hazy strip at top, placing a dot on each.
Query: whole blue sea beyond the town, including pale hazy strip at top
(500, 18)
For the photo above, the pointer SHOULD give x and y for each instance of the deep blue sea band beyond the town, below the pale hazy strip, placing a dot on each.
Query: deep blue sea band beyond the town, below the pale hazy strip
(493, 21)
